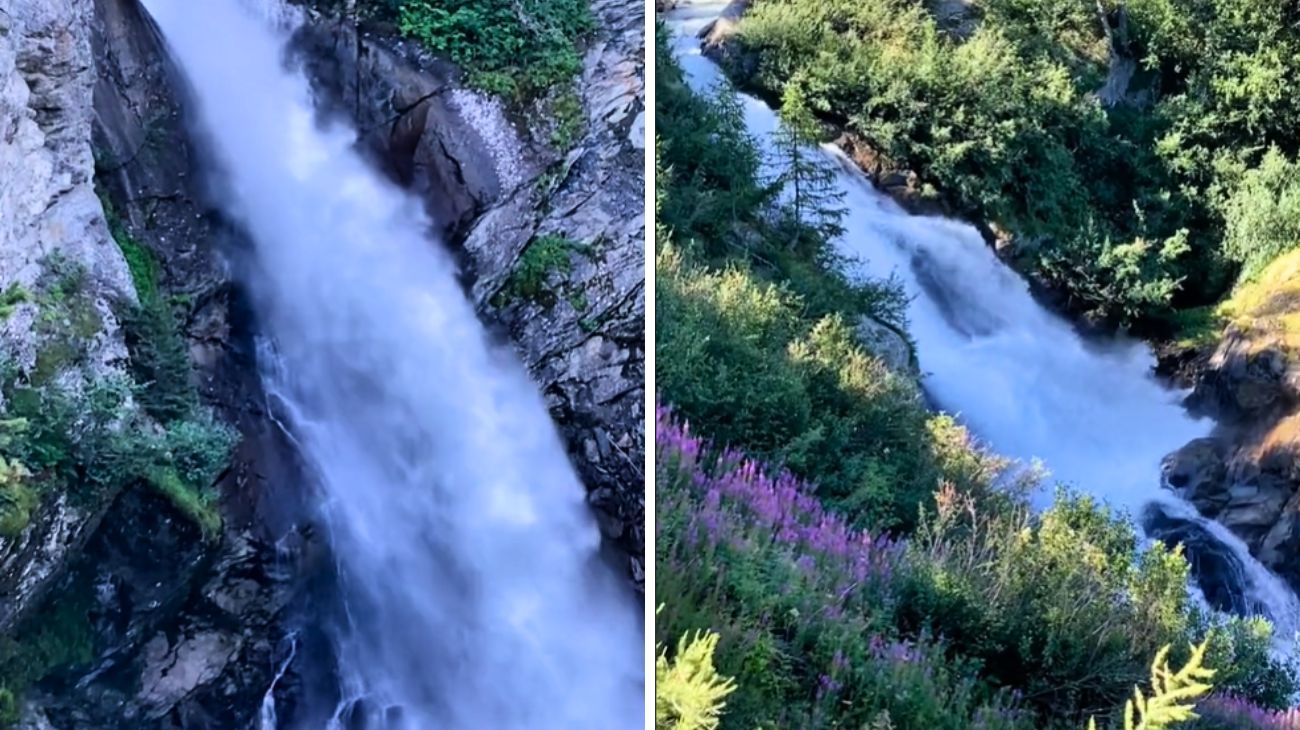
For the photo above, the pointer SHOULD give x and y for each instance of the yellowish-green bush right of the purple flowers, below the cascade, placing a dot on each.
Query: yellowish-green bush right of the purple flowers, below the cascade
(1061, 606)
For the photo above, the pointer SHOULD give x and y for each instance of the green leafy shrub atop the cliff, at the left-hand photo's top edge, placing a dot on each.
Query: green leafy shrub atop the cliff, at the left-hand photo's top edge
(517, 50)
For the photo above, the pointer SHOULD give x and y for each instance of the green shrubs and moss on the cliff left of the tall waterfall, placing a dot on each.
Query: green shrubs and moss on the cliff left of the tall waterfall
(71, 428)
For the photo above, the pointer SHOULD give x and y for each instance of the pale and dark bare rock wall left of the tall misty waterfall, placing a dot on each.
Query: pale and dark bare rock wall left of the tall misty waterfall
(184, 629)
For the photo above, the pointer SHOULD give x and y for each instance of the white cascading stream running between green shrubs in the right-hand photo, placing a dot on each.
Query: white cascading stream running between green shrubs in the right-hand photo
(1019, 376)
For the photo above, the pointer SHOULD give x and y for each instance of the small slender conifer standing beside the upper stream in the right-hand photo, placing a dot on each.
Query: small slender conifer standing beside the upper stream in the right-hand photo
(807, 177)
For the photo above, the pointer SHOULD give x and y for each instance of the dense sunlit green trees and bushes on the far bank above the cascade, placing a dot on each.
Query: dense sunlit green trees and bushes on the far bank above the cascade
(1136, 199)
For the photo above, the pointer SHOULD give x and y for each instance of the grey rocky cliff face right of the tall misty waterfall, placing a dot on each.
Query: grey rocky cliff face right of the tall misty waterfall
(552, 241)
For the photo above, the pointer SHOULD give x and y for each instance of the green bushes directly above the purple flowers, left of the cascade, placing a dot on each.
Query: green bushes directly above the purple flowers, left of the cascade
(742, 362)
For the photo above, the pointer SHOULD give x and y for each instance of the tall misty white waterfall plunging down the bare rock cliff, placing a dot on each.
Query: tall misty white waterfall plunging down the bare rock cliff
(467, 553)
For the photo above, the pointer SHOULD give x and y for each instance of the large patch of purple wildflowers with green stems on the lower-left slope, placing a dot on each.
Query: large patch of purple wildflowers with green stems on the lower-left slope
(801, 602)
